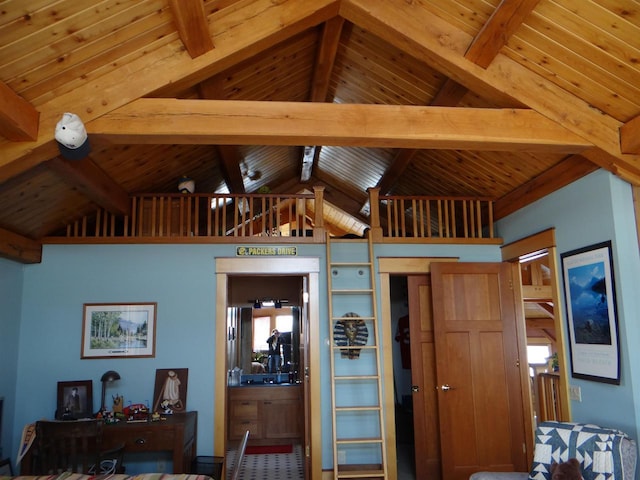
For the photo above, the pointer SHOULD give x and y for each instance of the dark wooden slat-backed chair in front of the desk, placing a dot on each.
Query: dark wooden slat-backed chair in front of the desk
(73, 446)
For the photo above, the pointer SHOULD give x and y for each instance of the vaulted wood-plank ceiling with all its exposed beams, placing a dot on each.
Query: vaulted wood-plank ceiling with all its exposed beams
(508, 99)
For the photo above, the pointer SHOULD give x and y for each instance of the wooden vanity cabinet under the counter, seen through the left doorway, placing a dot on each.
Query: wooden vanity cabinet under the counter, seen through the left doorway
(271, 413)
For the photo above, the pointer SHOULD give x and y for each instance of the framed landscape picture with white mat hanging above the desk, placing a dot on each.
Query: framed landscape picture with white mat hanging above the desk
(119, 330)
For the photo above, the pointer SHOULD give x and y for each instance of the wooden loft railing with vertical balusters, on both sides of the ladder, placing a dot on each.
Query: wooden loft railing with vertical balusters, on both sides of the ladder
(288, 218)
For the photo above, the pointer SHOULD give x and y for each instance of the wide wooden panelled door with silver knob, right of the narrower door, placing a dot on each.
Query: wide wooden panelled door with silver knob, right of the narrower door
(480, 397)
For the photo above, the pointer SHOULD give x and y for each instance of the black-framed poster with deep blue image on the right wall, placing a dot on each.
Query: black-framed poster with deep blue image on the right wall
(591, 313)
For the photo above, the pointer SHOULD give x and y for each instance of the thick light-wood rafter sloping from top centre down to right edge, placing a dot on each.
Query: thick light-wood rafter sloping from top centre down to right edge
(402, 24)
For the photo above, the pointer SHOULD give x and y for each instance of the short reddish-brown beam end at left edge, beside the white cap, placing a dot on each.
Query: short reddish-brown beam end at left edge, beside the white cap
(18, 118)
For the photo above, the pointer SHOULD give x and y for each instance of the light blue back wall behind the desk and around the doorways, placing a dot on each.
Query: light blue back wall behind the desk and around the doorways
(181, 279)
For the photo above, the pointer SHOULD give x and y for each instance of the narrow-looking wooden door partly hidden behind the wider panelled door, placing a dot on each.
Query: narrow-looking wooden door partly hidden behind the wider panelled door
(423, 377)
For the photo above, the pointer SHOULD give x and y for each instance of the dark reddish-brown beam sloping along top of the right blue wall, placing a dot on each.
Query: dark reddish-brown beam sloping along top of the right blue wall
(560, 175)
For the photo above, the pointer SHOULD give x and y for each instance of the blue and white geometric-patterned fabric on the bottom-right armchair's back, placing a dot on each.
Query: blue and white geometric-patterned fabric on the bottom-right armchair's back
(597, 449)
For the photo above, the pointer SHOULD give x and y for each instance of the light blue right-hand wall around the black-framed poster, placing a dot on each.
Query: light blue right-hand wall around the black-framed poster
(596, 208)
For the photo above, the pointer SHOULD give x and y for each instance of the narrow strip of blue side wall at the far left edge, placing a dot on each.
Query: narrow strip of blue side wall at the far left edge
(10, 315)
